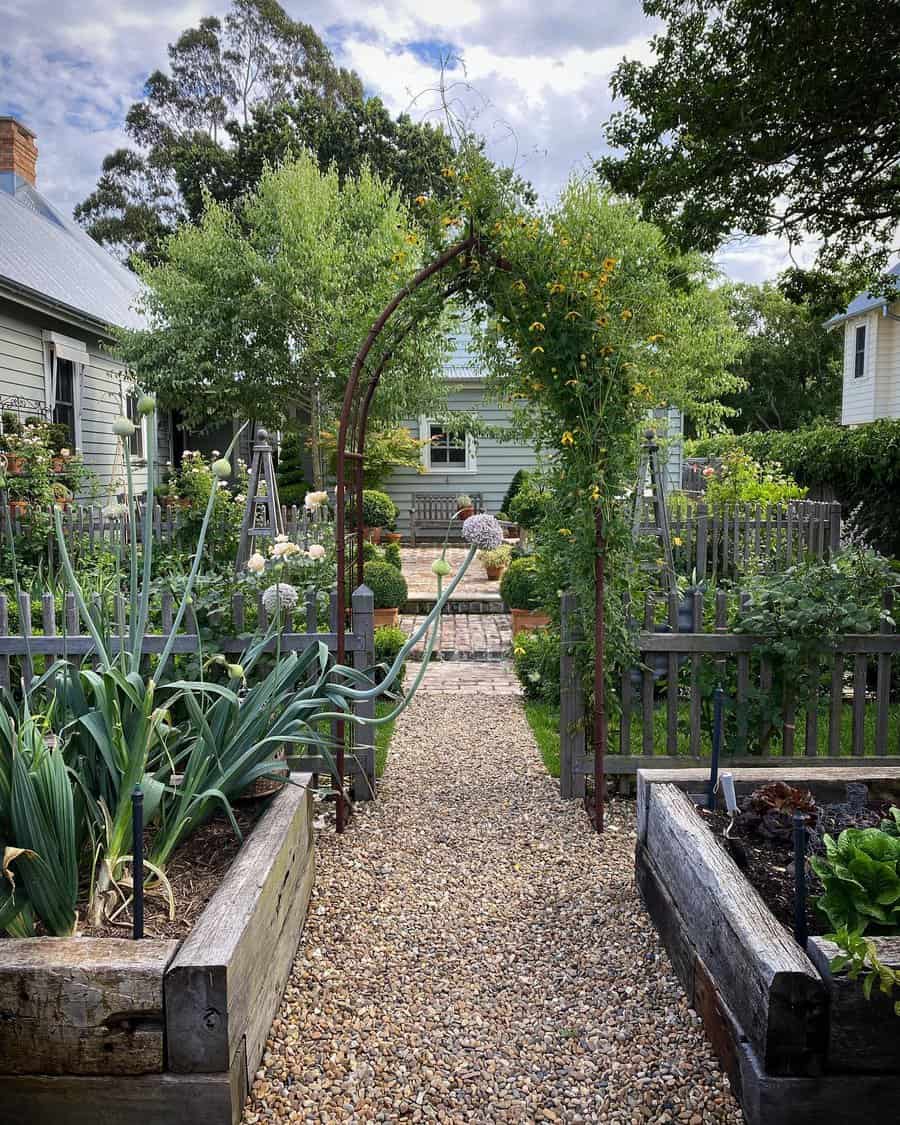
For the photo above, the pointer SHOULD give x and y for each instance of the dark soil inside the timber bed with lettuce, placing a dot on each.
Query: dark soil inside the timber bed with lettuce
(769, 865)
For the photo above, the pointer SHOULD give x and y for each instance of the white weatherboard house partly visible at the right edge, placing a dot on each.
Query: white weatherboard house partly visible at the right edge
(871, 328)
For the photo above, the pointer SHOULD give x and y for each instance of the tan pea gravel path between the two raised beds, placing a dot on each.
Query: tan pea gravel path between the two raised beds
(475, 953)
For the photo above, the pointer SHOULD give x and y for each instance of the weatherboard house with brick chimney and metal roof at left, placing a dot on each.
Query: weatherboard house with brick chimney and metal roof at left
(60, 293)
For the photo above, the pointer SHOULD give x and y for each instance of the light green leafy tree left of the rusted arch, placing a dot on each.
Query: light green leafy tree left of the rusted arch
(259, 309)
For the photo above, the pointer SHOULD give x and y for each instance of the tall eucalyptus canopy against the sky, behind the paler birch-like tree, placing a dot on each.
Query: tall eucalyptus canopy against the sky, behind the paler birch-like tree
(253, 88)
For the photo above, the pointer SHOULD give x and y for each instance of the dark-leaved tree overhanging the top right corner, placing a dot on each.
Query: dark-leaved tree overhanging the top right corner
(766, 118)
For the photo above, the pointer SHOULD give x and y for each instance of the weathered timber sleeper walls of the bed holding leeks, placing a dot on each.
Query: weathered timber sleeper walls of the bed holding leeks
(166, 1032)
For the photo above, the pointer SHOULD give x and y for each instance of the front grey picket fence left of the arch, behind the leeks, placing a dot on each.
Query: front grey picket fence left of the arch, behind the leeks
(62, 637)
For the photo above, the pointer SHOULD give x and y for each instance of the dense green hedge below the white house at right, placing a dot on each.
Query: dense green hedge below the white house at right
(861, 465)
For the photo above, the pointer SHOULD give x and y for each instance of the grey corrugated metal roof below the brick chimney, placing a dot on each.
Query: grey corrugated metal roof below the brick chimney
(48, 254)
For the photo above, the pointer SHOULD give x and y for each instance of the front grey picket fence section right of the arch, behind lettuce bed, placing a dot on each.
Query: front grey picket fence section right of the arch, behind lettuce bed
(664, 703)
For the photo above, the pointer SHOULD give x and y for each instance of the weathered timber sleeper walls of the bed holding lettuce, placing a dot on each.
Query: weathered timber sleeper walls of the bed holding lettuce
(799, 1045)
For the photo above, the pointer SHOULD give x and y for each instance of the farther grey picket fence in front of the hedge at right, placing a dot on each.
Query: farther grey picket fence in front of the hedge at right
(723, 543)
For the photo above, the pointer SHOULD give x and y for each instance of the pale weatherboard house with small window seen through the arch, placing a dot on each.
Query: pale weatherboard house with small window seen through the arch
(457, 463)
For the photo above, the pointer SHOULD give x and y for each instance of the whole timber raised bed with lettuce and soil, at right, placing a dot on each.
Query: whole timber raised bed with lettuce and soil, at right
(795, 1029)
